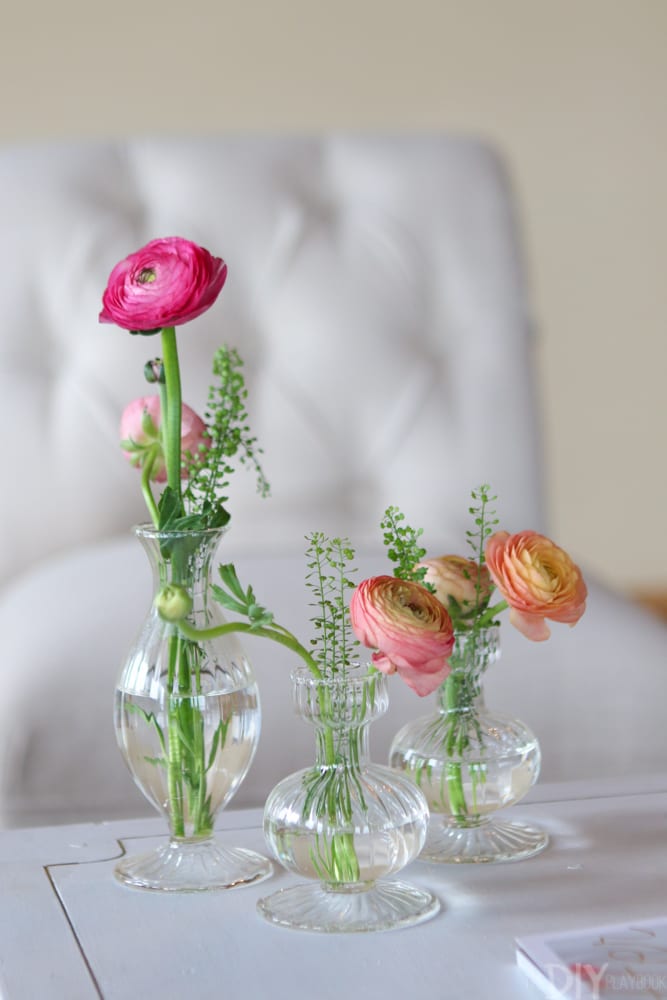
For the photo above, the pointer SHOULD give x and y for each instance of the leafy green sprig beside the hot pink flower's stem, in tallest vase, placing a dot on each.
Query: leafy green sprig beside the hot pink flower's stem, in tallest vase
(228, 438)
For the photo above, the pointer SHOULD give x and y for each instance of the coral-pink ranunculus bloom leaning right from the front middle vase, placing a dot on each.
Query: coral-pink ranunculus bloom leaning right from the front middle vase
(408, 626)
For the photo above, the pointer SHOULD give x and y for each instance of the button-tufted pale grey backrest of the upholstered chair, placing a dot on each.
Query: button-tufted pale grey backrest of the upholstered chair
(374, 292)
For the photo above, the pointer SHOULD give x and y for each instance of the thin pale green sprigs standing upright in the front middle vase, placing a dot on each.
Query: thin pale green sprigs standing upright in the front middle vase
(328, 577)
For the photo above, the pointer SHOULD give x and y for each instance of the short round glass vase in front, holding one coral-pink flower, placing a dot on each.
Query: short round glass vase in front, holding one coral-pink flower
(345, 823)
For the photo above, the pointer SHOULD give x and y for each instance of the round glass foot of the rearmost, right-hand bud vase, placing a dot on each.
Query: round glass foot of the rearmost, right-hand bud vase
(491, 842)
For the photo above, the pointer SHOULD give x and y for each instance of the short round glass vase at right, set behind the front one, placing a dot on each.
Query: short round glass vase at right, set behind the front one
(470, 763)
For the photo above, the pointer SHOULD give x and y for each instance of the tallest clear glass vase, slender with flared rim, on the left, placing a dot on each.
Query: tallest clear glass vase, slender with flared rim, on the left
(187, 719)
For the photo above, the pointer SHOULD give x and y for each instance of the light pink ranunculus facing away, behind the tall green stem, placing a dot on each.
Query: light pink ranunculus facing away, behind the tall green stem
(140, 434)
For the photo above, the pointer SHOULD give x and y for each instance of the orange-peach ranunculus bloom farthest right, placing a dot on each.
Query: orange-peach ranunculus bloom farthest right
(538, 580)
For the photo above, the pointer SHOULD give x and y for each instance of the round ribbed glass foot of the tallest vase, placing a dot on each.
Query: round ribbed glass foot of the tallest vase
(193, 866)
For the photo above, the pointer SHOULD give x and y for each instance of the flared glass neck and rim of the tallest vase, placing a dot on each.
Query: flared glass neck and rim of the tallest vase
(182, 557)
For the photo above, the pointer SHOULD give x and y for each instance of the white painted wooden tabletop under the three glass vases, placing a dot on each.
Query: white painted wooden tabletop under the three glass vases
(69, 930)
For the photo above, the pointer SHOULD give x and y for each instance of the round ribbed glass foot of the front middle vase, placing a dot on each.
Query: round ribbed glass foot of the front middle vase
(383, 906)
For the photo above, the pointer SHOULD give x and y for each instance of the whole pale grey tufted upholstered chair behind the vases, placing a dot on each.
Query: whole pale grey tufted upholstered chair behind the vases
(376, 295)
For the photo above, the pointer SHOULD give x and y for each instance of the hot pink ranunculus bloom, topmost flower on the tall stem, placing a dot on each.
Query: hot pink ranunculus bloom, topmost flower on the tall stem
(166, 283)
